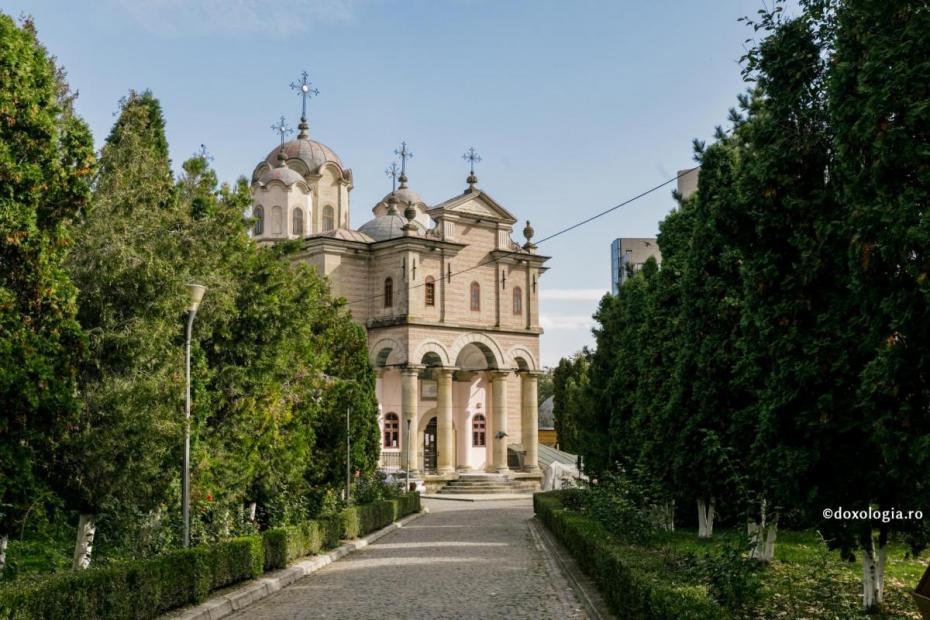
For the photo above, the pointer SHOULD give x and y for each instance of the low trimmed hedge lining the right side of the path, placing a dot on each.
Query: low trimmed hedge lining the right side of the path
(636, 582)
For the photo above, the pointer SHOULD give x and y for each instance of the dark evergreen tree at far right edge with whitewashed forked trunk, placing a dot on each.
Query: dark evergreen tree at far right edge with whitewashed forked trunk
(878, 89)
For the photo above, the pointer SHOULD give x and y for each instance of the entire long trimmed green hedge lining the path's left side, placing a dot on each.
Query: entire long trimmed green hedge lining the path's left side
(143, 589)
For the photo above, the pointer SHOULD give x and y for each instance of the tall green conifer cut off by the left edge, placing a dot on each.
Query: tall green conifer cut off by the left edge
(46, 162)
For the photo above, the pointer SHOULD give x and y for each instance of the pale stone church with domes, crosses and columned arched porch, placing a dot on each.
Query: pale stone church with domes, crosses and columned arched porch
(449, 301)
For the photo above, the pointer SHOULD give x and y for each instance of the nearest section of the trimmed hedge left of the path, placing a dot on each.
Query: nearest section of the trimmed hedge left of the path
(136, 589)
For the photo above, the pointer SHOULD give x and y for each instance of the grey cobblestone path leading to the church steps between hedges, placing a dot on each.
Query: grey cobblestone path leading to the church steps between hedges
(463, 560)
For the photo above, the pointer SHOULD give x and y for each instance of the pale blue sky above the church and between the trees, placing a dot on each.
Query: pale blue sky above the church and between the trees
(573, 106)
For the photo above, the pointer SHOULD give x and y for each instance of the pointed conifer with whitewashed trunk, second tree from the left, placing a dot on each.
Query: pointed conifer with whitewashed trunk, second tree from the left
(128, 263)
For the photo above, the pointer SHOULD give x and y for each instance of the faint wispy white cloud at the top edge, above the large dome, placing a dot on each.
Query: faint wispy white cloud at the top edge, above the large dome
(179, 17)
